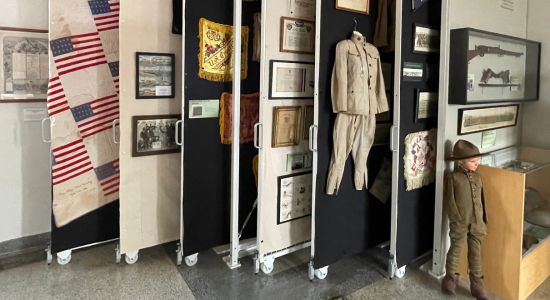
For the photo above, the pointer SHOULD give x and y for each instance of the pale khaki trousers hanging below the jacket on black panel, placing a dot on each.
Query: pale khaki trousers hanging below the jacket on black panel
(355, 134)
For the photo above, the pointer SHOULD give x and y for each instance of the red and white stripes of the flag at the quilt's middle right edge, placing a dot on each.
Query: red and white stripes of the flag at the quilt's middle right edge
(105, 112)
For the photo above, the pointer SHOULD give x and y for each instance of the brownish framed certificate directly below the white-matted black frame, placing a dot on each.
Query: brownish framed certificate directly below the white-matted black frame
(286, 124)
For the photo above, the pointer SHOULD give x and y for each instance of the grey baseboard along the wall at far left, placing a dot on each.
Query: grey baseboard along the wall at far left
(23, 250)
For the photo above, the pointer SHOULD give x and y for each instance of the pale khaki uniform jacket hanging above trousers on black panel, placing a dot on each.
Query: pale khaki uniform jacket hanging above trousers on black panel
(357, 83)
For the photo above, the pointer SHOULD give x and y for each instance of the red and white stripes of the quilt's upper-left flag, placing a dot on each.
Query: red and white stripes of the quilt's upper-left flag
(87, 52)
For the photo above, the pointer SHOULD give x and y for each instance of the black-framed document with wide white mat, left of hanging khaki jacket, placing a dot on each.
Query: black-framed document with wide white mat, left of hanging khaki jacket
(291, 80)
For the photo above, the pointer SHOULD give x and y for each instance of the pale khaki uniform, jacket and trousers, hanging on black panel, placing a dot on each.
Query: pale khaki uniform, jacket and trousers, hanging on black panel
(358, 93)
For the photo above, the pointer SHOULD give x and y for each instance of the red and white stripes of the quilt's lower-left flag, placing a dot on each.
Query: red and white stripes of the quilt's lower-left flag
(71, 160)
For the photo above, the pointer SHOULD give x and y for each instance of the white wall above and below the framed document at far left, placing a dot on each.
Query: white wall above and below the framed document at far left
(24, 160)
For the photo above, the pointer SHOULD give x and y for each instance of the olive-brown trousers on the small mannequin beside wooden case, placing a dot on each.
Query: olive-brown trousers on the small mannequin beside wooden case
(473, 233)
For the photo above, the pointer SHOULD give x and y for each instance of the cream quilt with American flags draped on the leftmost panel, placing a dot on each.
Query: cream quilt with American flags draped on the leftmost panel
(82, 103)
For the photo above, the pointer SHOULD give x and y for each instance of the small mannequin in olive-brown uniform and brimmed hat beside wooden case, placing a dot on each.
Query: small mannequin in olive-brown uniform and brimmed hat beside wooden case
(463, 199)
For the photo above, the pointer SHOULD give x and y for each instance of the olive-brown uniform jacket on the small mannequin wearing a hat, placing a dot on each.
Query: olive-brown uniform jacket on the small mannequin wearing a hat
(463, 197)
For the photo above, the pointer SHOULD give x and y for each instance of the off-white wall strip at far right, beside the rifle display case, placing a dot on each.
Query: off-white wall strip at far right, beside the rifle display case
(536, 123)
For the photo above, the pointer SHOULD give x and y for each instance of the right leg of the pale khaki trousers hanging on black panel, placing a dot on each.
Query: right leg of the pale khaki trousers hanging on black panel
(361, 148)
